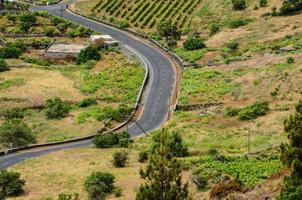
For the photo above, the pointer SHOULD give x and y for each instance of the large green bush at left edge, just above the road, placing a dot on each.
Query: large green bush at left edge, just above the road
(16, 133)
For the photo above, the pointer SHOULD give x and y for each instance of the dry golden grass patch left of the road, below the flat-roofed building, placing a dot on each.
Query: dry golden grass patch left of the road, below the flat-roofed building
(39, 86)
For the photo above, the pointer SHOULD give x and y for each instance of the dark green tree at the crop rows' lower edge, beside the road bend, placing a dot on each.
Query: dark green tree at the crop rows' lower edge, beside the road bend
(169, 31)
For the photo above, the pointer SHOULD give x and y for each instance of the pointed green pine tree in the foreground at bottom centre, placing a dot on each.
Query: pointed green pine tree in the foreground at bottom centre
(163, 176)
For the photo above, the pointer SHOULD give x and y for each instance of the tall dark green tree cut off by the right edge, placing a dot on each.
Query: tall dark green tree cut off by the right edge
(291, 156)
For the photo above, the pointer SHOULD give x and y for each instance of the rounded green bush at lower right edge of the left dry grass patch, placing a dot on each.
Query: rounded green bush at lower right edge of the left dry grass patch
(56, 108)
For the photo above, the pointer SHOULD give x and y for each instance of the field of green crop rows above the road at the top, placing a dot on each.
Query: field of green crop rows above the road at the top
(146, 13)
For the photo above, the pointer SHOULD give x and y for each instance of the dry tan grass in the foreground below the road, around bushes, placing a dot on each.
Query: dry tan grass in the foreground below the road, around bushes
(66, 171)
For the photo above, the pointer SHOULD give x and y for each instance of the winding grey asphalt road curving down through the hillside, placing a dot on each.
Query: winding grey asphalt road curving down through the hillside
(157, 95)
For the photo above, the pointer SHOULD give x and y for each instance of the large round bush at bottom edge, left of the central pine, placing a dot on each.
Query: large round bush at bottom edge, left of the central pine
(99, 184)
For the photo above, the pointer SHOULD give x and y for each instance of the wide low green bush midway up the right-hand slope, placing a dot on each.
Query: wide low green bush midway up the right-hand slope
(254, 111)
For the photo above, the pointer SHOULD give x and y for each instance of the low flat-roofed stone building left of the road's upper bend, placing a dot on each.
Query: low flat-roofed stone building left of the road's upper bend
(63, 50)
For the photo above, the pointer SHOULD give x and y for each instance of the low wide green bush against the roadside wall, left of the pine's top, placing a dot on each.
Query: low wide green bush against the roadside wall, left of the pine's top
(111, 140)
